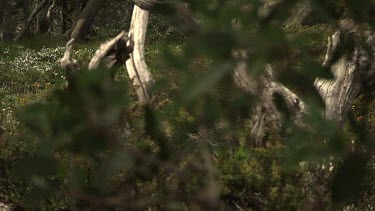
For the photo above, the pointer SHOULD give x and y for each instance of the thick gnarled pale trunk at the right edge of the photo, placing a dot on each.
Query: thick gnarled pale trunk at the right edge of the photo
(351, 72)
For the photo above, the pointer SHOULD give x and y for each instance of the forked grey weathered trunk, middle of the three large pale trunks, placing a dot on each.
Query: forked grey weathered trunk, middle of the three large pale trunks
(265, 88)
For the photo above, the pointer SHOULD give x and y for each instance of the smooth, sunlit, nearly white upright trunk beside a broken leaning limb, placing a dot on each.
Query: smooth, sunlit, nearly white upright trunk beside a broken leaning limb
(136, 65)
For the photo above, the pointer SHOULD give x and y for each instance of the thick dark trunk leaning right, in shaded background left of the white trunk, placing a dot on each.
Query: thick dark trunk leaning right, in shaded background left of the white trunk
(86, 19)
